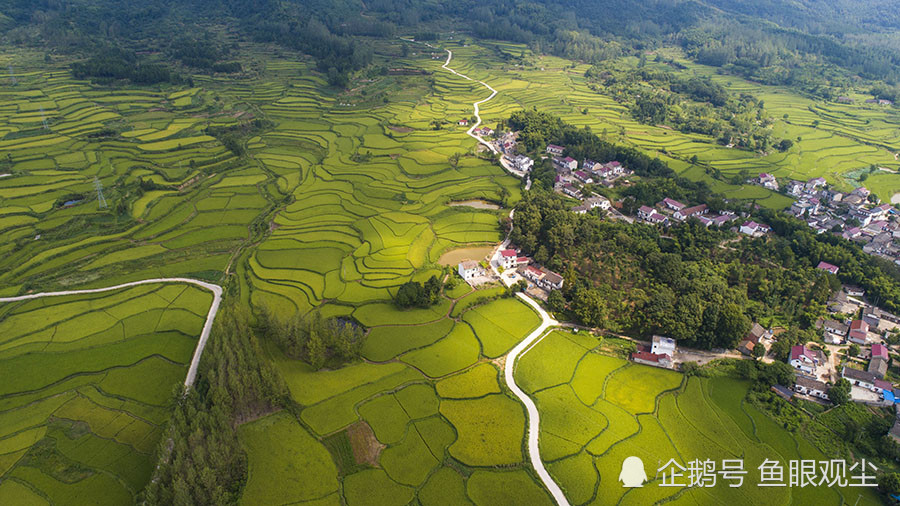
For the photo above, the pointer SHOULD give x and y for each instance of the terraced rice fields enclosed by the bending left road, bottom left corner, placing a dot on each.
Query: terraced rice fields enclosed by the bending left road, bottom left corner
(87, 386)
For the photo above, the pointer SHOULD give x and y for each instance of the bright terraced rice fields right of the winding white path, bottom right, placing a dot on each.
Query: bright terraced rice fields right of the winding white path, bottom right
(597, 410)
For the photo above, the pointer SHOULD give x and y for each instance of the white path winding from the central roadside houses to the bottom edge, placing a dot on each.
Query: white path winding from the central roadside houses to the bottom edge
(534, 420)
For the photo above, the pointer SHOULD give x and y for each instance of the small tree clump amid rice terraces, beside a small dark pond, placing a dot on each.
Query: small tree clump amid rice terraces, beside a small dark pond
(312, 338)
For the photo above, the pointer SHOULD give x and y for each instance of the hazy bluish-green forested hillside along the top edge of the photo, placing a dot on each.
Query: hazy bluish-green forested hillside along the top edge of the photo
(815, 45)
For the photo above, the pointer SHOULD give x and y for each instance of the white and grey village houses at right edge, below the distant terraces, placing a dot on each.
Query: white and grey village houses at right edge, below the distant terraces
(874, 226)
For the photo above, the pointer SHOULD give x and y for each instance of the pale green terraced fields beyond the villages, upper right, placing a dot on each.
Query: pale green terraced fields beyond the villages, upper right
(846, 137)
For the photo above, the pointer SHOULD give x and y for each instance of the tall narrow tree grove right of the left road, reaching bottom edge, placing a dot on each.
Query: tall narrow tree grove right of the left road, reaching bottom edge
(200, 460)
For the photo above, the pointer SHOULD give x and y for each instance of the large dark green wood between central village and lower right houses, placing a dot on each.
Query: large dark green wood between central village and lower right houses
(681, 284)
